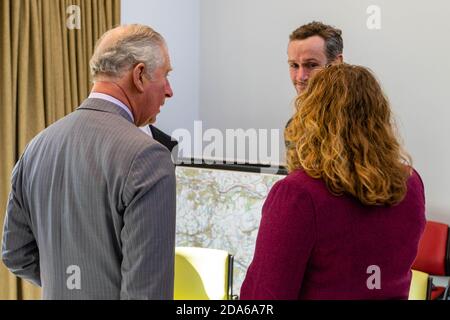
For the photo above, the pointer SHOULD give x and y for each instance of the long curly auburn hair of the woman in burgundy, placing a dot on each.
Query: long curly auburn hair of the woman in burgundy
(343, 133)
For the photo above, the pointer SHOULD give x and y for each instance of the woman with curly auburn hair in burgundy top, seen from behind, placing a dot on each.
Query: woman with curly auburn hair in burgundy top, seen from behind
(346, 222)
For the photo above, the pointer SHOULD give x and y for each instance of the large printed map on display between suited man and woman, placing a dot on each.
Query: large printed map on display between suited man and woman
(221, 210)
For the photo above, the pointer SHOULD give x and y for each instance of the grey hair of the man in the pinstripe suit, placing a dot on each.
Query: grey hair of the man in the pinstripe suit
(137, 43)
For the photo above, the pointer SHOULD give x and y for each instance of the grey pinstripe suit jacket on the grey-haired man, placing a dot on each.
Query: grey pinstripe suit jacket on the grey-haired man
(95, 192)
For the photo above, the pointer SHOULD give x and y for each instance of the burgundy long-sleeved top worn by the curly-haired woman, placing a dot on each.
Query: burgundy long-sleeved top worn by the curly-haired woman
(314, 245)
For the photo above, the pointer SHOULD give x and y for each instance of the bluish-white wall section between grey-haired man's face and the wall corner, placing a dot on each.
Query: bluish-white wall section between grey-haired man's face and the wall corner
(178, 22)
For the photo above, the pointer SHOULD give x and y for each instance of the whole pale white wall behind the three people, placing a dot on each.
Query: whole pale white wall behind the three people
(231, 69)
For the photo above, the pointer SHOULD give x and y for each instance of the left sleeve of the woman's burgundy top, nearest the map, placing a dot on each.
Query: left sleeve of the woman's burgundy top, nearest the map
(284, 244)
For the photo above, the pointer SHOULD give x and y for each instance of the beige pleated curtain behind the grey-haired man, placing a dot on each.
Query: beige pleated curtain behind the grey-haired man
(44, 65)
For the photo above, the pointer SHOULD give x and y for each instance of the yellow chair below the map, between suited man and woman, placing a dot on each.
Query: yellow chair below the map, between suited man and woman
(203, 274)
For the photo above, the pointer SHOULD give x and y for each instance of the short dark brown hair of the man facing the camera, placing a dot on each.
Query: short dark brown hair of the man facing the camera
(334, 45)
